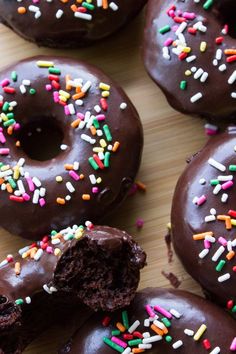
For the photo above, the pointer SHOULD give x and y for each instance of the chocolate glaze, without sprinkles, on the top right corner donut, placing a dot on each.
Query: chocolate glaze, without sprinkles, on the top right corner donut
(216, 102)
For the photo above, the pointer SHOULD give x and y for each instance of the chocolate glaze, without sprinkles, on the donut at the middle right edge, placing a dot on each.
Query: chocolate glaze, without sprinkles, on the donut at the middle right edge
(188, 219)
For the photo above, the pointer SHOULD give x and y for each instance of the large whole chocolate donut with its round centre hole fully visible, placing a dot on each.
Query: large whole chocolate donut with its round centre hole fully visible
(70, 145)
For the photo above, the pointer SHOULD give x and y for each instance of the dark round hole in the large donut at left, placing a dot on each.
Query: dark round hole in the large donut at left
(41, 139)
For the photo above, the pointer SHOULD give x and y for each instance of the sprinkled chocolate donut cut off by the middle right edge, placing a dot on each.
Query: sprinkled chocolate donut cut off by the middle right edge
(203, 218)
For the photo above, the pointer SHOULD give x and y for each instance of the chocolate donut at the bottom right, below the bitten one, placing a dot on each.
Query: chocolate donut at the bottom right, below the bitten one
(186, 323)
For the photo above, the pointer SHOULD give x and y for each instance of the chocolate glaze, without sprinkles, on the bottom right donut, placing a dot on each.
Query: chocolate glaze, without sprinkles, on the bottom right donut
(195, 311)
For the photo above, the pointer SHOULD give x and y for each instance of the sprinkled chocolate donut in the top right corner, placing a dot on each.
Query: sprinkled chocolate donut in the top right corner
(190, 52)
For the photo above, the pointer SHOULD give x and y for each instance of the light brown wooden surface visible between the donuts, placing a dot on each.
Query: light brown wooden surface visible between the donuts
(169, 138)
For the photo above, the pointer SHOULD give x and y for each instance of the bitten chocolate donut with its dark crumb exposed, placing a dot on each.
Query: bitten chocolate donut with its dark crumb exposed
(98, 267)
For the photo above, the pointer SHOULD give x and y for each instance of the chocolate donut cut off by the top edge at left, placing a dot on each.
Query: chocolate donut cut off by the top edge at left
(68, 23)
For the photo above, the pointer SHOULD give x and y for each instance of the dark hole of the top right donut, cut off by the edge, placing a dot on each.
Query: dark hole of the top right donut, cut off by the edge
(227, 15)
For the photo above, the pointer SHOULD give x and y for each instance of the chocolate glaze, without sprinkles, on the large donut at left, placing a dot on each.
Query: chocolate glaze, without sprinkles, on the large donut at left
(30, 220)
